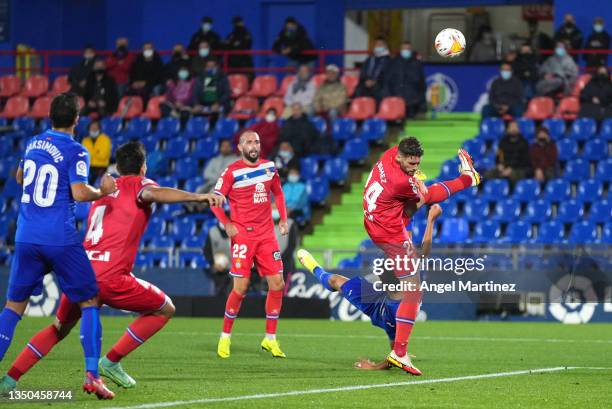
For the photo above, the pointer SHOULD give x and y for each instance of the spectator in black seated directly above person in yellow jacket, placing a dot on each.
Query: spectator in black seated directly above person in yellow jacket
(101, 97)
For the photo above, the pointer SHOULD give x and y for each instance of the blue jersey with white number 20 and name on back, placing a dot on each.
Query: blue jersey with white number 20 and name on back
(52, 162)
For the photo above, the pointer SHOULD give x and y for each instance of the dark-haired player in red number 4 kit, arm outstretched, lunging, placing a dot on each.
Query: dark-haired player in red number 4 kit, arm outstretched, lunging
(116, 225)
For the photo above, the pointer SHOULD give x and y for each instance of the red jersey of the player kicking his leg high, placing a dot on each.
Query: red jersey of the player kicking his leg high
(388, 191)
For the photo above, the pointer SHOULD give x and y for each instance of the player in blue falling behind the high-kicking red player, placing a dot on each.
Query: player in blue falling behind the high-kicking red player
(363, 295)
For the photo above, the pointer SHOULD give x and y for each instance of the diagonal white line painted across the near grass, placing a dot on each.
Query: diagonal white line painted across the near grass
(343, 388)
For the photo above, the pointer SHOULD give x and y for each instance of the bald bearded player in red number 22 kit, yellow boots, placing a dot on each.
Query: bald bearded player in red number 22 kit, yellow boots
(247, 184)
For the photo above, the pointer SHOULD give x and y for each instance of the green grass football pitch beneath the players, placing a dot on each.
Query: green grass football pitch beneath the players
(465, 364)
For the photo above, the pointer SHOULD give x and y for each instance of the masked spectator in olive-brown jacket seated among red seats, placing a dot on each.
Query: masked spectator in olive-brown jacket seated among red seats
(331, 97)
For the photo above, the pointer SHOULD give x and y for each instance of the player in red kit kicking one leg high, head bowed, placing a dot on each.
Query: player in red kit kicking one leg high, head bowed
(392, 193)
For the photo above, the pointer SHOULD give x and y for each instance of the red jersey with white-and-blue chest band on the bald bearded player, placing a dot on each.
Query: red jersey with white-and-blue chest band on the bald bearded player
(247, 188)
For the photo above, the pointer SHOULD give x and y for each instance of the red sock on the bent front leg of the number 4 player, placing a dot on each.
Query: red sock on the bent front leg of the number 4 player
(136, 334)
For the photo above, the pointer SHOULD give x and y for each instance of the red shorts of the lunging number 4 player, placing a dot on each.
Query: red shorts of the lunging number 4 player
(125, 292)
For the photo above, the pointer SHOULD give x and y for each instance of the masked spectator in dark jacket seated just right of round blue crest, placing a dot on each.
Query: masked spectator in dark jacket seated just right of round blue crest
(505, 95)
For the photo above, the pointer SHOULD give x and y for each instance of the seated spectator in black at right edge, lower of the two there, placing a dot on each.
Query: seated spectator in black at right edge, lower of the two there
(596, 96)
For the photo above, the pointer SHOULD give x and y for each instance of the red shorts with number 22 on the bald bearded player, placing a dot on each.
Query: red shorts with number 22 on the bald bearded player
(264, 252)
